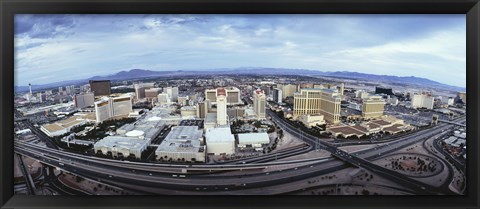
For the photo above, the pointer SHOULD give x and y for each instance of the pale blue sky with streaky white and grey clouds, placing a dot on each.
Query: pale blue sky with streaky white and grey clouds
(51, 48)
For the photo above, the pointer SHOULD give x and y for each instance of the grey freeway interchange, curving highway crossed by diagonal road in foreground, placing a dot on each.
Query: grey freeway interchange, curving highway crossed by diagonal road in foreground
(157, 178)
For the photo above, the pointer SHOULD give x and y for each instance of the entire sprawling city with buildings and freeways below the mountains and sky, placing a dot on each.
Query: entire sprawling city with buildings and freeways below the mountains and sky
(240, 135)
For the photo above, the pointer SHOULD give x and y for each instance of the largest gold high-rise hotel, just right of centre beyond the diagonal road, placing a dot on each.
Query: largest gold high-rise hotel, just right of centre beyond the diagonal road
(318, 101)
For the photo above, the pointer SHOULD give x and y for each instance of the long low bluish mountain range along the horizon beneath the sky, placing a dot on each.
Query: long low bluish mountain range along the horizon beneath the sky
(140, 73)
